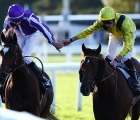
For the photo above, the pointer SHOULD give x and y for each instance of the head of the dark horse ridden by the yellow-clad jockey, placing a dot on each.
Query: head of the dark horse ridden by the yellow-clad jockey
(91, 69)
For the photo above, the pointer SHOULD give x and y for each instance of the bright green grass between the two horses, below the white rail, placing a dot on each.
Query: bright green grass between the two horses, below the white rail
(66, 99)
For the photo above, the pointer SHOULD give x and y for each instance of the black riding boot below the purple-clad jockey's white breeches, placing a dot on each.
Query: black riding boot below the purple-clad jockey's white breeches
(44, 82)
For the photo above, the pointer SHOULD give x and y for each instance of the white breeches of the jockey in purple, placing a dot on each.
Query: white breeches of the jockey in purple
(27, 43)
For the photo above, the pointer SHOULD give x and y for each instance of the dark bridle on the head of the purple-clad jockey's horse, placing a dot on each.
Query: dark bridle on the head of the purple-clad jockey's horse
(12, 69)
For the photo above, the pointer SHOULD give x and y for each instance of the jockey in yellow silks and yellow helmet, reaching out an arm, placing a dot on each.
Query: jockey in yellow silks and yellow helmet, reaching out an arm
(122, 30)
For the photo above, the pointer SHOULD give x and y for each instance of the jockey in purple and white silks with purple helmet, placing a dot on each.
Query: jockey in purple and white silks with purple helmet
(27, 27)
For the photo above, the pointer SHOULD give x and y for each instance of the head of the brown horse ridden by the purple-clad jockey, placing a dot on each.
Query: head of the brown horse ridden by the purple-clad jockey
(8, 54)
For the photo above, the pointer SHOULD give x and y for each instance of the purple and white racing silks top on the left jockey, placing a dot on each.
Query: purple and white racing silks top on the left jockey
(29, 25)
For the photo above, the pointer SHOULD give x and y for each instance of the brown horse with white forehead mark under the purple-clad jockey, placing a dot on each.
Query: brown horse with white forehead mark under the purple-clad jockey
(22, 91)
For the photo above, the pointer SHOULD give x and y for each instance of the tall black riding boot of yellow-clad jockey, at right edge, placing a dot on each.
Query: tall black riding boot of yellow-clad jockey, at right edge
(134, 82)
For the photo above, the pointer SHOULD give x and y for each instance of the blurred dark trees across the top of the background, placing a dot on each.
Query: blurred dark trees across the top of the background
(54, 7)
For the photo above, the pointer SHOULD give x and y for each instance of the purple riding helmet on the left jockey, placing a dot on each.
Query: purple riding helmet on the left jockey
(15, 12)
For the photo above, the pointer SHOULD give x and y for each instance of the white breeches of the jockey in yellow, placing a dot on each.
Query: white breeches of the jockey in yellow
(114, 43)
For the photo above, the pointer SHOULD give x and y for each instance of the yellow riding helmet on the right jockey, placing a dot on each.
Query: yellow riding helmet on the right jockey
(107, 13)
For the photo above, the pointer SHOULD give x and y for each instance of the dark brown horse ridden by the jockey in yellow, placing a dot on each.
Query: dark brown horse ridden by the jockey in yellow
(113, 98)
